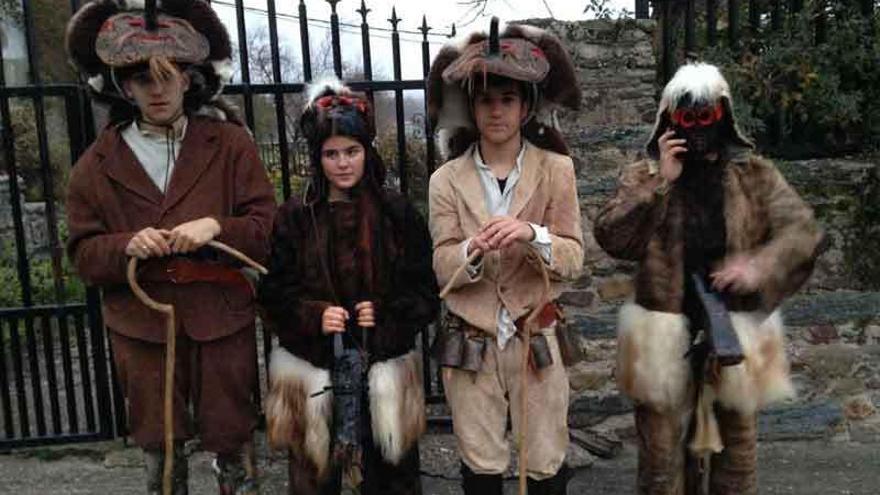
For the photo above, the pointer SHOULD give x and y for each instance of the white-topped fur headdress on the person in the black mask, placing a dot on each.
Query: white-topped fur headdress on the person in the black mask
(698, 83)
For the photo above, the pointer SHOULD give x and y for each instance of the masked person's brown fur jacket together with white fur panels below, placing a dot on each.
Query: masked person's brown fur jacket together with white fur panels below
(763, 217)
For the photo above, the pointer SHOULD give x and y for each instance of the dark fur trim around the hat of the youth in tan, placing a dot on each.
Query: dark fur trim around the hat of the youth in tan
(448, 102)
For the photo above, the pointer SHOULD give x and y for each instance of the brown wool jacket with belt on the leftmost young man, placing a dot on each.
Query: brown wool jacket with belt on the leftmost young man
(110, 197)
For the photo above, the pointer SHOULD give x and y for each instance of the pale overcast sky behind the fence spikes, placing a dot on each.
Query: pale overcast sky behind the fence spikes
(441, 14)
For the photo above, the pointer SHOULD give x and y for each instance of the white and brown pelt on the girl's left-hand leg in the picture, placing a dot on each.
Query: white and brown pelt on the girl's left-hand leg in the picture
(296, 418)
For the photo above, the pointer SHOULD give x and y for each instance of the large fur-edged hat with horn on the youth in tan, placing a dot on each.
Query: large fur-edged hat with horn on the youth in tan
(522, 53)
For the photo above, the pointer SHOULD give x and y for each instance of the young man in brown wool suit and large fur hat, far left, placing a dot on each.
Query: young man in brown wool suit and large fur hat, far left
(158, 183)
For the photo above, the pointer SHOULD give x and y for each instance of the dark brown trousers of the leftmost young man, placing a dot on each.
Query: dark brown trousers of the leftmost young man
(213, 389)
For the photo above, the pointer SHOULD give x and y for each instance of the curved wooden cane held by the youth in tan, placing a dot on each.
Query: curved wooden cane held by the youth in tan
(528, 327)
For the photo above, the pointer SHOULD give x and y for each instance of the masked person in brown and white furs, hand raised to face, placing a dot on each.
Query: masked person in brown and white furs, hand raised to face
(703, 211)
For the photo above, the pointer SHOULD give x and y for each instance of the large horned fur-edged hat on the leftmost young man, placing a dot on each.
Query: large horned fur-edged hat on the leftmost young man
(107, 35)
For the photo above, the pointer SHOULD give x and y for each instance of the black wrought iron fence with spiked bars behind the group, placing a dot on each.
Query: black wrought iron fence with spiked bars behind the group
(57, 383)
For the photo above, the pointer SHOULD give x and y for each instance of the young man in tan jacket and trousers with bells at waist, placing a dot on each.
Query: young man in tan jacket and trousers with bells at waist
(507, 202)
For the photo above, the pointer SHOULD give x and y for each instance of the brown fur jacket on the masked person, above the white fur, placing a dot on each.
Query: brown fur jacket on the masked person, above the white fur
(764, 217)
